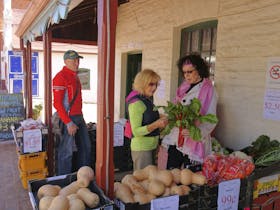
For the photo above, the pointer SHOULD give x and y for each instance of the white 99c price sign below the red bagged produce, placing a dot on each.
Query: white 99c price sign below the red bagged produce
(228, 195)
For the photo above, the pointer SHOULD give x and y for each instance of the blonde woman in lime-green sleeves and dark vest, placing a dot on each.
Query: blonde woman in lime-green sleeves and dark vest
(145, 122)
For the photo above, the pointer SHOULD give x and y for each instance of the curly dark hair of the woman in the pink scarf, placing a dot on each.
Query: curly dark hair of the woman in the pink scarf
(198, 63)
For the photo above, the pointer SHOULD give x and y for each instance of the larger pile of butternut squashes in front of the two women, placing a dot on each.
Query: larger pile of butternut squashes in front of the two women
(149, 183)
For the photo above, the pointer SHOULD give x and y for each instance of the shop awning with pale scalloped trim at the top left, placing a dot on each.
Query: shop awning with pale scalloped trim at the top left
(41, 14)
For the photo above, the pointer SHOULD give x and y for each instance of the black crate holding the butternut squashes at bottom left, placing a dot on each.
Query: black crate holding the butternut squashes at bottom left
(64, 180)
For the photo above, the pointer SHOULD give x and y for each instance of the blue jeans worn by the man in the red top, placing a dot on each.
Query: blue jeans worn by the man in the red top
(65, 147)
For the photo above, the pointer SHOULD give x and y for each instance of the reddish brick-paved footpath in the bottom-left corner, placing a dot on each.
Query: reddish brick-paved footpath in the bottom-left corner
(12, 195)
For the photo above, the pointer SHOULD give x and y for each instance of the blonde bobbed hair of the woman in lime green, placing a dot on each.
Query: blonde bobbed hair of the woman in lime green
(143, 78)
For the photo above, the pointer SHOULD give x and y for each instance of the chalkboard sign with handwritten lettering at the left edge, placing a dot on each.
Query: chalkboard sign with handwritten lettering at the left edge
(11, 111)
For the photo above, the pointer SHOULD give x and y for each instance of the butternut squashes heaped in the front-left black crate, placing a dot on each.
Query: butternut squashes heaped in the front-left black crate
(75, 196)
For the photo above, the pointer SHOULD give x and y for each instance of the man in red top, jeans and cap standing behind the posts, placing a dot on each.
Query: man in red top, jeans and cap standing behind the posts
(67, 88)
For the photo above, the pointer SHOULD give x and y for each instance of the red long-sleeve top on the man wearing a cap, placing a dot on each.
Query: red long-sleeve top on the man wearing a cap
(65, 85)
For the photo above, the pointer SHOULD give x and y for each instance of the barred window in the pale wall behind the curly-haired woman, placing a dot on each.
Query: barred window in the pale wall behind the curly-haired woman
(200, 38)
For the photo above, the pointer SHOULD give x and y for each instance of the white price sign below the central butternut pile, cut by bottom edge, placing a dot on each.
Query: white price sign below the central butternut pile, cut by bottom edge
(165, 203)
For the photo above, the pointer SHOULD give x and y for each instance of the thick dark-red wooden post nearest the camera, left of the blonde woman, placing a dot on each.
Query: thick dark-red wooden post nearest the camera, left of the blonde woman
(105, 95)
